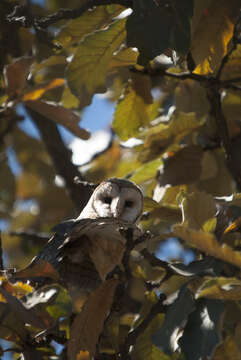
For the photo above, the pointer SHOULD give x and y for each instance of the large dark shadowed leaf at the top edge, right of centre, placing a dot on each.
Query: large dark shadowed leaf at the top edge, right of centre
(165, 27)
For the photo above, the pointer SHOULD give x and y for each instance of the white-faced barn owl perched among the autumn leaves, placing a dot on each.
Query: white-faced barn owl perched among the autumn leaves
(83, 251)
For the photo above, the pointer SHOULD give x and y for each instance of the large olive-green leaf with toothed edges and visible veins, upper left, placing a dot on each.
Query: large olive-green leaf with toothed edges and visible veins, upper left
(89, 66)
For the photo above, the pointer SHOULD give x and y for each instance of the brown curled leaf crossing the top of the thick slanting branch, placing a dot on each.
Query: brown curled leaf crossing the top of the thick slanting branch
(59, 114)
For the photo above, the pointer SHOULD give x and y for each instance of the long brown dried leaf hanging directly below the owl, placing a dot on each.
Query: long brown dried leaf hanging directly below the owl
(87, 326)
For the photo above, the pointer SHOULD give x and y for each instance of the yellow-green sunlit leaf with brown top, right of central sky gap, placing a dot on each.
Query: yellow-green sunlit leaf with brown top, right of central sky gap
(132, 111)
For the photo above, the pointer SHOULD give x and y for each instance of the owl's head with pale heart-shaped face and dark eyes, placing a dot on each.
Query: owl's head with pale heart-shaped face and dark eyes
(115, 198)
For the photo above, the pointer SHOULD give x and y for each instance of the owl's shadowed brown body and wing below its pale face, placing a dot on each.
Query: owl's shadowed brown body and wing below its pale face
(81, 252)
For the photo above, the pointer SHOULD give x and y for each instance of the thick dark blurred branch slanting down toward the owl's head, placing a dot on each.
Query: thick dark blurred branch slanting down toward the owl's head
(79, 192)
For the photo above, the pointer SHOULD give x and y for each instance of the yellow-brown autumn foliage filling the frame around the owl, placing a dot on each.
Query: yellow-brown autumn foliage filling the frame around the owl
(173, 68)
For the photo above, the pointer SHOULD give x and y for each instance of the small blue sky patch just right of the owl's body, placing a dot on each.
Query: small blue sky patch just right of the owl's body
(171, 249)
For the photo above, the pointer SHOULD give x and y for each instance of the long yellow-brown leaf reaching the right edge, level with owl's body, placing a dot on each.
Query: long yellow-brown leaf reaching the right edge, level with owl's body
(207, 243)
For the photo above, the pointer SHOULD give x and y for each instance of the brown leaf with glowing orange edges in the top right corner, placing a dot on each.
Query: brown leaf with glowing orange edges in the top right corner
(212, 29)
